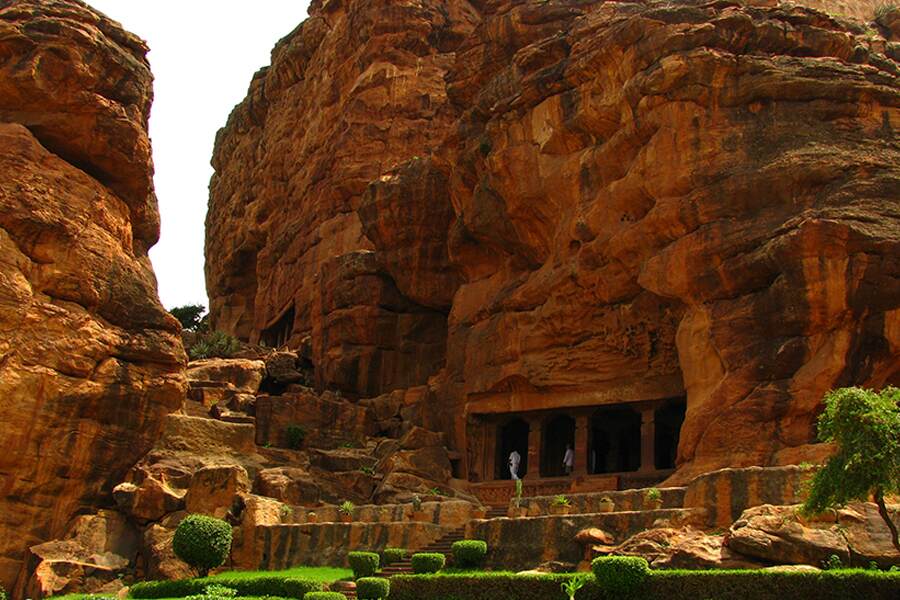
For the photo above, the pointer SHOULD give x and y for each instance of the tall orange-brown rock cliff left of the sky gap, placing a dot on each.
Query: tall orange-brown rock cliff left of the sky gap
(90, 362)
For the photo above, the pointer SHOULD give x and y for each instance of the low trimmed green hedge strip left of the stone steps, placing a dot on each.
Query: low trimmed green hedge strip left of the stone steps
(265, 585)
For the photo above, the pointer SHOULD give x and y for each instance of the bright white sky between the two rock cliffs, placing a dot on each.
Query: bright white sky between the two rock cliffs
(203, 54)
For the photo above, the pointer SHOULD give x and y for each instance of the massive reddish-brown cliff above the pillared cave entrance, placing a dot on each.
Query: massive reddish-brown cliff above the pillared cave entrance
(573, 203)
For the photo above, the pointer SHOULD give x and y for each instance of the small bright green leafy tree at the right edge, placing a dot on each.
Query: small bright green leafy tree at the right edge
(865, 425)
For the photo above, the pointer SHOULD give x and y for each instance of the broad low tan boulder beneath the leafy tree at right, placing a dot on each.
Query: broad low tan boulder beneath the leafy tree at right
(776, 534)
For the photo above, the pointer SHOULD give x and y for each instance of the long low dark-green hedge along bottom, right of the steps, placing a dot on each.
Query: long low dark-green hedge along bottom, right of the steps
(661, 585)
